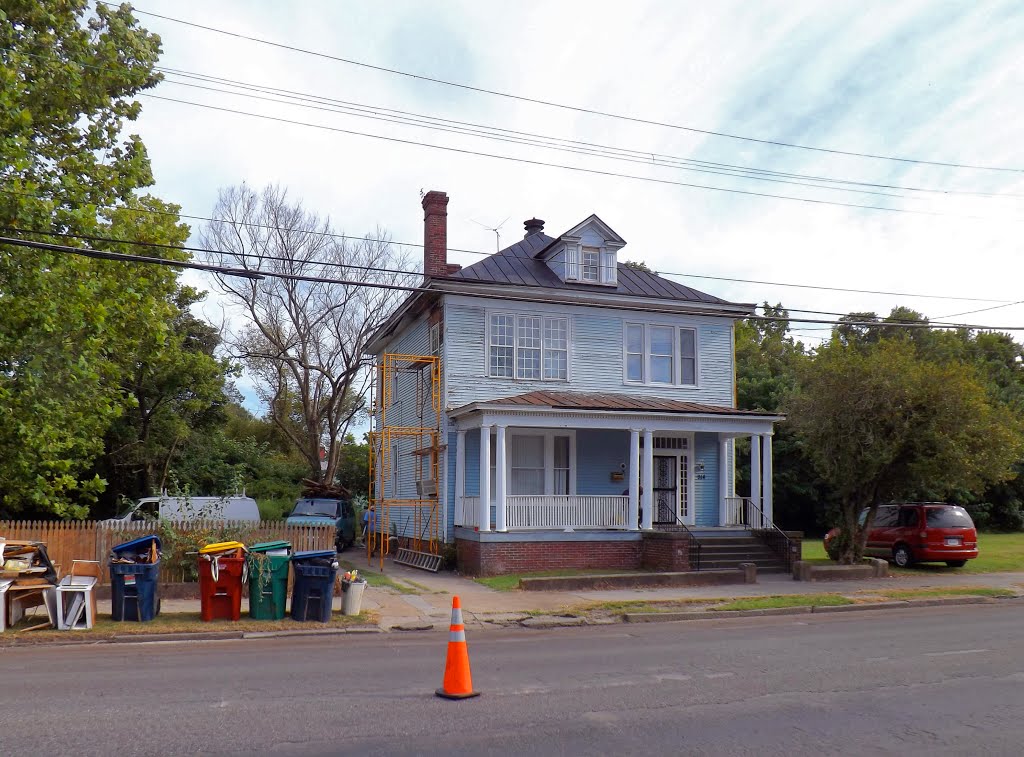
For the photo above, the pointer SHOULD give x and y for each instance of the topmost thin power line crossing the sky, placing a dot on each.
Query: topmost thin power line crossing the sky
(576, 109)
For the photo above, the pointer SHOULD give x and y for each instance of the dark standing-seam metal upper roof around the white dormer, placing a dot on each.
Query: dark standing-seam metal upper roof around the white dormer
(518, 266)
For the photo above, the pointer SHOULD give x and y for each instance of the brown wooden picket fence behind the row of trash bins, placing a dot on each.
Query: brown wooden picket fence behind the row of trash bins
(91, 540)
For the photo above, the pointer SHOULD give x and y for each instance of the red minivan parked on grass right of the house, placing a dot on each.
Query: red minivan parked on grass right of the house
(927, 532)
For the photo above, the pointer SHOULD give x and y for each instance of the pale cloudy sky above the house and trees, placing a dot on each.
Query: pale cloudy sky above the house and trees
(927, 82)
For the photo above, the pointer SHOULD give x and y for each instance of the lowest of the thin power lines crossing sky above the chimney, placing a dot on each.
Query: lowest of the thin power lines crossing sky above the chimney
(580, 170)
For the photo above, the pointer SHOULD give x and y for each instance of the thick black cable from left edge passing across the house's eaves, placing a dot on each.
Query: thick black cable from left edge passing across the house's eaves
(259, 275)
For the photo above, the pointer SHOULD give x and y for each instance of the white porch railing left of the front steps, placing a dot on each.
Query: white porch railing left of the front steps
(552, 512)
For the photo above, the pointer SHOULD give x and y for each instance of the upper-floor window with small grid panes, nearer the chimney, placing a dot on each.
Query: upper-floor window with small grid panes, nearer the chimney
(534, 348)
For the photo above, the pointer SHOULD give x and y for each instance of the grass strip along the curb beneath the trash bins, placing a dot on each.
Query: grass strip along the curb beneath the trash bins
(168, 623)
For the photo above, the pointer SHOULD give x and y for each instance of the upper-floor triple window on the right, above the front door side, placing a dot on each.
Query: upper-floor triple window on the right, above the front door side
(661, 355)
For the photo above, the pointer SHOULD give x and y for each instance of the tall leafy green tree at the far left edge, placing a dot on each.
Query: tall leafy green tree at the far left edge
(67, 89)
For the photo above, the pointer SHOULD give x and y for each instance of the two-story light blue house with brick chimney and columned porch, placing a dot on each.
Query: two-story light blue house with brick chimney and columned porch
(588, 411)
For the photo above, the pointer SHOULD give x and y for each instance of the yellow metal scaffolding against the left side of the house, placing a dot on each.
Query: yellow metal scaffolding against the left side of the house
(387, 438)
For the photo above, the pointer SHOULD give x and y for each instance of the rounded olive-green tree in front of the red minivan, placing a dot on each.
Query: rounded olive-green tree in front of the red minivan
(881, 424)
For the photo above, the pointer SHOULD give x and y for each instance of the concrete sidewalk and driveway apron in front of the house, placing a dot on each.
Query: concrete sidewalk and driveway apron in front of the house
(429, 602)
